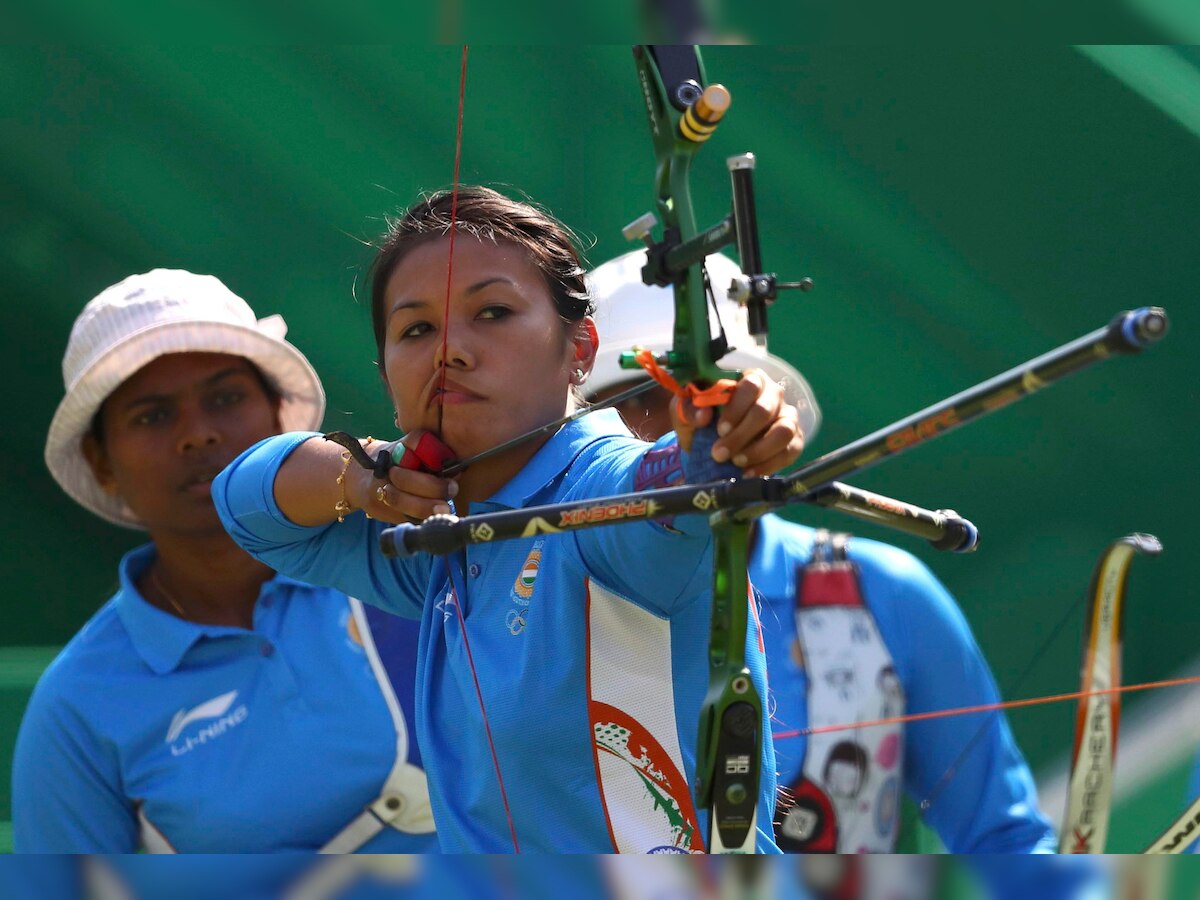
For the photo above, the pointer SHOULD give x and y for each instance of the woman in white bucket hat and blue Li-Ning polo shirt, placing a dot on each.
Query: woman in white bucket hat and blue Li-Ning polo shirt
(212, 705)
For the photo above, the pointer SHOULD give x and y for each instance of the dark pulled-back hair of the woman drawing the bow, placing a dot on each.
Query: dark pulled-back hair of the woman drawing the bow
(488, 215)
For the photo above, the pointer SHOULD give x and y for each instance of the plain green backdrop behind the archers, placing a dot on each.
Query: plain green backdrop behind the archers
(961, 211)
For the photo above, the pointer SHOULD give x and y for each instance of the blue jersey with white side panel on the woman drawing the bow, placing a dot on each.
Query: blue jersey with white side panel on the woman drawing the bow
(586, 651)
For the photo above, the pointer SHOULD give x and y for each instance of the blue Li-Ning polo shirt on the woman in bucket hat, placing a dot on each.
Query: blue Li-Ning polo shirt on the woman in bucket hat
(209, 739)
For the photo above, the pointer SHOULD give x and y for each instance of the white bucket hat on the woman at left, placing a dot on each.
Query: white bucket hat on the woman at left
(149, 316)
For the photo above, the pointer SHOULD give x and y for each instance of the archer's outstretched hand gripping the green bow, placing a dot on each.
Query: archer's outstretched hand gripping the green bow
(758, 429)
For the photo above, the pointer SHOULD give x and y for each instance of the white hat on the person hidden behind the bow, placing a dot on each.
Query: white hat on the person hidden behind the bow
(631, 314)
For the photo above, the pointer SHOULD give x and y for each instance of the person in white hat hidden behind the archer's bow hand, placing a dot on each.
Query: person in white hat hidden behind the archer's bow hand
(863, 632)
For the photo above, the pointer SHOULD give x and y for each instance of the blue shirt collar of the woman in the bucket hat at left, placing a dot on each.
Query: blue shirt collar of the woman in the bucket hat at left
(158, 637)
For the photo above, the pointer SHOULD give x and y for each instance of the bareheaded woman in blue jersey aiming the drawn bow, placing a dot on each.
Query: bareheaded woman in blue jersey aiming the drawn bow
(561, 676)
